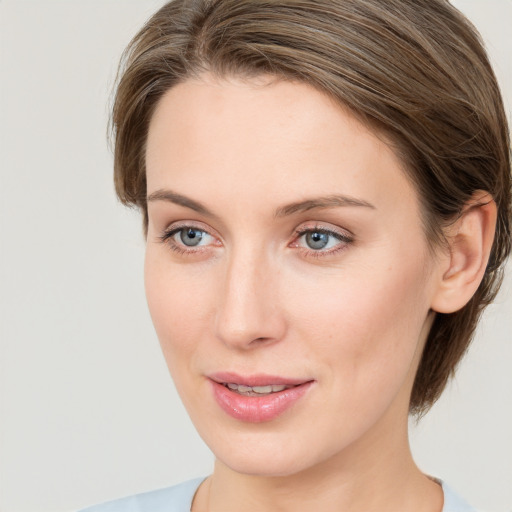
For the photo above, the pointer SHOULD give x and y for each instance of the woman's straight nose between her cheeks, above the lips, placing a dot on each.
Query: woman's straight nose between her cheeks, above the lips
(249, 310)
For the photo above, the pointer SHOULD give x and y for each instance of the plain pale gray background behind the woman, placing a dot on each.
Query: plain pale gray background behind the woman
(88, 411)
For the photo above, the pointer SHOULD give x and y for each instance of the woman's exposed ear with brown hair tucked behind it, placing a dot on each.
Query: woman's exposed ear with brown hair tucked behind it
(470, 241)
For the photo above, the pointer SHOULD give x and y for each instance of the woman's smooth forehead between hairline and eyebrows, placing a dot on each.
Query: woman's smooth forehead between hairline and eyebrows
(267, 138)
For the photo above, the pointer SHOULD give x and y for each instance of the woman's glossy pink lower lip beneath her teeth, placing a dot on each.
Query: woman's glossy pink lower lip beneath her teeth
(257, 409)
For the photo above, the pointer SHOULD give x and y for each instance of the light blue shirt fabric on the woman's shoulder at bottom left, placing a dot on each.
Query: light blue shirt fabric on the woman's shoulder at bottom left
(177, 498)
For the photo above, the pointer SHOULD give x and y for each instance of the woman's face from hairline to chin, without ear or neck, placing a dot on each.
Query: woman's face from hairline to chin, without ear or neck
(287, 273)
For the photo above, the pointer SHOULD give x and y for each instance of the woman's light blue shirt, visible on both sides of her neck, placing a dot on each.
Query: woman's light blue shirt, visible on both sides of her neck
(179, 499)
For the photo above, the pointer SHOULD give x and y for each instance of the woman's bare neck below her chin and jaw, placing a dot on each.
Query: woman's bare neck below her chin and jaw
(370, 475)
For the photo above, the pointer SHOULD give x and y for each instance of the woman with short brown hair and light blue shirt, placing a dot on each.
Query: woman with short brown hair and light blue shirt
(325, 190)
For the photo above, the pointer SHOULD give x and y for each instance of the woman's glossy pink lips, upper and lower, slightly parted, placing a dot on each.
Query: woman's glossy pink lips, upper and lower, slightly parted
(256, 409)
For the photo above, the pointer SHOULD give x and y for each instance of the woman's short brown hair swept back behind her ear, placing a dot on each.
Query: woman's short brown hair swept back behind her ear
(414, 70)
